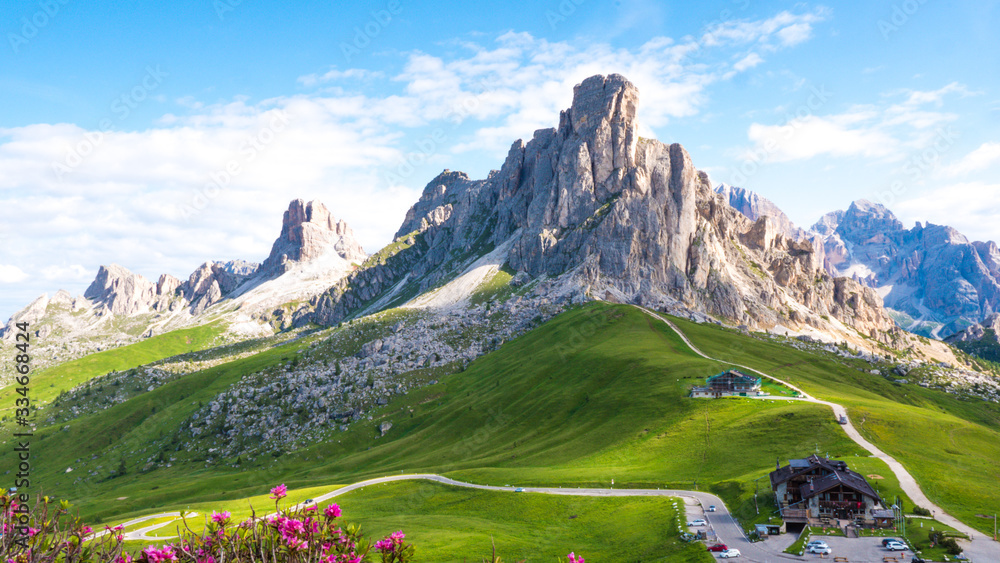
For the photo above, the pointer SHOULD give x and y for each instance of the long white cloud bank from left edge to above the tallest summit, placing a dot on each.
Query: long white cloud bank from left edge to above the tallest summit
(128, 199)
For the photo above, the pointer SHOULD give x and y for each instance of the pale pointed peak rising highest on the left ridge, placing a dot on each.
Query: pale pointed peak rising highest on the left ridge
(308, 231)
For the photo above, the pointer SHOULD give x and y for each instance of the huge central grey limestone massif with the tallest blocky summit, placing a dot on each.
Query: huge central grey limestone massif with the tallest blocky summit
(617, 215)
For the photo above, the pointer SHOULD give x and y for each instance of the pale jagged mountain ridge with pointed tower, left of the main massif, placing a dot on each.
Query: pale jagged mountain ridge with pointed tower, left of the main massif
(313, 251)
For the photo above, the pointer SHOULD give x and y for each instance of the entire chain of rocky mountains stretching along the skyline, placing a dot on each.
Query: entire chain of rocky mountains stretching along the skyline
(594, 211)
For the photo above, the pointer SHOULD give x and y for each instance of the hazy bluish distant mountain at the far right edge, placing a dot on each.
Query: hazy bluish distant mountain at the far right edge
(936, 279)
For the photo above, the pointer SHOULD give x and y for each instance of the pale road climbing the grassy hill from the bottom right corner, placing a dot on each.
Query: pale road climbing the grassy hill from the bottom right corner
(981, 548)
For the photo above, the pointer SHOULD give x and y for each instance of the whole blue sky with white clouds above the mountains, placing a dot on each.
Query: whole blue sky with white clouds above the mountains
(159, 136)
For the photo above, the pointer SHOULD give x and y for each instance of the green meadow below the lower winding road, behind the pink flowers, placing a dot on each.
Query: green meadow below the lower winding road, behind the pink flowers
(454, 524)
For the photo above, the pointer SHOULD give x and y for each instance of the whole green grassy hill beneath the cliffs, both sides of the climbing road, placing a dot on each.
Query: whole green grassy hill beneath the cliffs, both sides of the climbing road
(598, 393)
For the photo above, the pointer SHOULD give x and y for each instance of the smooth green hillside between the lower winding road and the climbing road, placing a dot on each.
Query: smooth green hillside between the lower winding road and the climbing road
(596, 394)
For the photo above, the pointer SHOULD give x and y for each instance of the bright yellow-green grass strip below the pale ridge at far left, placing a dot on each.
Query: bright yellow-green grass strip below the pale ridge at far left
(48, 383)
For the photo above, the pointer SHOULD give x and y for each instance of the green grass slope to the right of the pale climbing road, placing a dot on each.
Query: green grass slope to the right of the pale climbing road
(951, 445)
